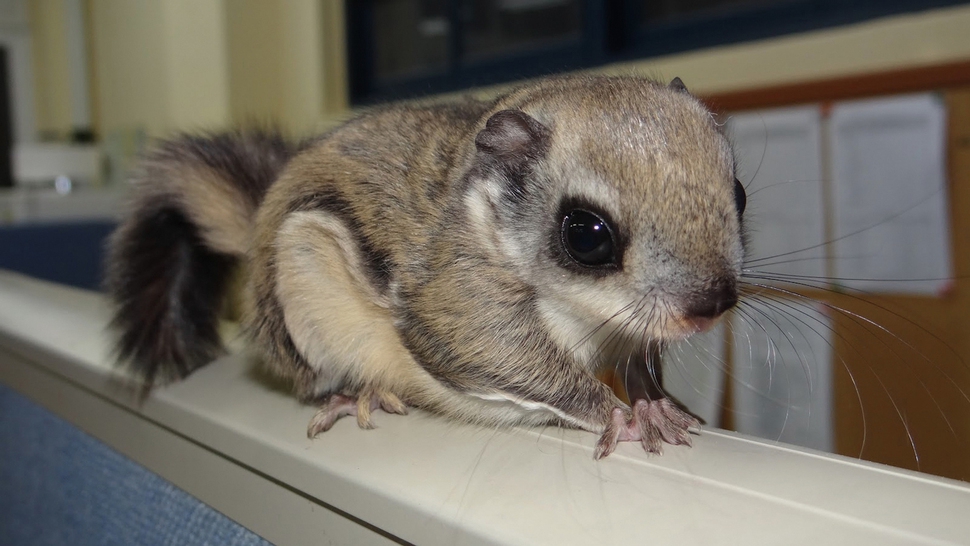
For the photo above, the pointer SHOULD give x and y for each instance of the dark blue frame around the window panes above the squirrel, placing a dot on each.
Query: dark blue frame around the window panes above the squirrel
(611, 33)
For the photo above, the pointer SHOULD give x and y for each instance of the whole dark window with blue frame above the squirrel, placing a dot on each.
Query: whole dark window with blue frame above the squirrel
(407, 48)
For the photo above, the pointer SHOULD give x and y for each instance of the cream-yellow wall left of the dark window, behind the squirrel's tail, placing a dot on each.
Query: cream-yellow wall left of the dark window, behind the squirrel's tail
(163, 65)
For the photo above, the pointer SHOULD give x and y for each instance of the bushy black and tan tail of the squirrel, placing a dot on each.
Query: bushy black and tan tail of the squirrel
(171, 258)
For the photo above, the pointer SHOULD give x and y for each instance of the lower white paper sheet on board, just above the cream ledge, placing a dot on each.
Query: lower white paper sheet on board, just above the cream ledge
(782, 371)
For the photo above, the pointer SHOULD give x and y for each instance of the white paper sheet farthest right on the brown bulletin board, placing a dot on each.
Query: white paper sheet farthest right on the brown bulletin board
(890, 200)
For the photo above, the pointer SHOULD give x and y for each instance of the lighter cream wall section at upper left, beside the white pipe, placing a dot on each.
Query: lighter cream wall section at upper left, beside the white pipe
(162, 64)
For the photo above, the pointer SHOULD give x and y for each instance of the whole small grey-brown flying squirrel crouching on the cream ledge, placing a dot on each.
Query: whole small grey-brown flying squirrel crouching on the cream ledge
(482, 260)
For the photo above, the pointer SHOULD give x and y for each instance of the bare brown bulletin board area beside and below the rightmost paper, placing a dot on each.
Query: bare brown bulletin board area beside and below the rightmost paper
(911, 379)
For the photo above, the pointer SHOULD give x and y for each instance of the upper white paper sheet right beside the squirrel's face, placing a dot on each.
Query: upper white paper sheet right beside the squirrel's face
(779, 162)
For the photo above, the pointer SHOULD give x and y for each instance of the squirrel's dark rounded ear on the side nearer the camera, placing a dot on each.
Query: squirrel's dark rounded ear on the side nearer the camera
(513, 138)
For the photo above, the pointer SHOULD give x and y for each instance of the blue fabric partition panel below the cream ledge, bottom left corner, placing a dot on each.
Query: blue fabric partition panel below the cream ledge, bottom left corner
(59, 486)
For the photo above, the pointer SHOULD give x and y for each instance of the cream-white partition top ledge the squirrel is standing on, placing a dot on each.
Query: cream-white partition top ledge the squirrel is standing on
(240, 445)
